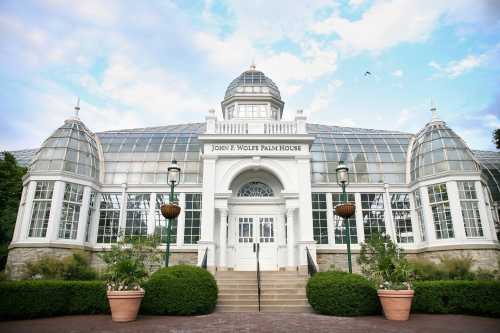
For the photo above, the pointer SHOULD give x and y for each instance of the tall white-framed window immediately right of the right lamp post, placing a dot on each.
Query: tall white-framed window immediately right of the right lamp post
(372, 207)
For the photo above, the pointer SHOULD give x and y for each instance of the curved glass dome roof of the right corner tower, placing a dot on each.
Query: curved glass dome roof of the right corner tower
(438, 149)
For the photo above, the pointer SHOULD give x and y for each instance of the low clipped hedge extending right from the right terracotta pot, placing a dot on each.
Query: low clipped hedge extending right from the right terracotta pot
(458, 297)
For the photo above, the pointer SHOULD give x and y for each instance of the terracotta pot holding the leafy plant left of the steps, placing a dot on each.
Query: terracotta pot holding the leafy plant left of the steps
(125, 304)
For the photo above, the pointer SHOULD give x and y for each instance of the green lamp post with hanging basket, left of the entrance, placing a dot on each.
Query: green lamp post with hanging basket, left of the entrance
(171, 210)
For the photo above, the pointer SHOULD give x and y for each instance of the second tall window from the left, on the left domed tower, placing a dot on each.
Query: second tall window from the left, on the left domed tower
(72, 202)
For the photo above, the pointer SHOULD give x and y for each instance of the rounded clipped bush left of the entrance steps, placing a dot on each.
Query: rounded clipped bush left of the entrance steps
(180, 290)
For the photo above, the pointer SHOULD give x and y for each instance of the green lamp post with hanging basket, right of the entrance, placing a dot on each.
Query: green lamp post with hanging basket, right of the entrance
(345, 209)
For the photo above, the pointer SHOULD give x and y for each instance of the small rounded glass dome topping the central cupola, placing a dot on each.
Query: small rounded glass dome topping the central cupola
(252, 82)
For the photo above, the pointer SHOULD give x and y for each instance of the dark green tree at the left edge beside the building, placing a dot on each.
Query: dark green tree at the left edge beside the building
(11, 187)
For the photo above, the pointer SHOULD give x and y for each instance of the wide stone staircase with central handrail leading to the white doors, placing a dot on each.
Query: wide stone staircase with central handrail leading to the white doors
(280, 292)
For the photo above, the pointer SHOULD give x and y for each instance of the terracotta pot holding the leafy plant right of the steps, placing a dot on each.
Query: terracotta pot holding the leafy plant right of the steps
(396, 303)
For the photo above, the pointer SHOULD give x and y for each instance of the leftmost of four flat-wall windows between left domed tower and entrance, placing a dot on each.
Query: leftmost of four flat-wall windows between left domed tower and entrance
(109, 217)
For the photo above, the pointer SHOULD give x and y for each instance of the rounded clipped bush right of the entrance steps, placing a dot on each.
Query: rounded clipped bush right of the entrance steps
(342, 294)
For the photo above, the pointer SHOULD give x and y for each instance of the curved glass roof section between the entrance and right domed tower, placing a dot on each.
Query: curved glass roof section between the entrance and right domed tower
(372, 156)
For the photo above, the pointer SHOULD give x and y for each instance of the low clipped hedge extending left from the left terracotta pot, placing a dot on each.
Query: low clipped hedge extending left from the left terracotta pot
(32, 299)
